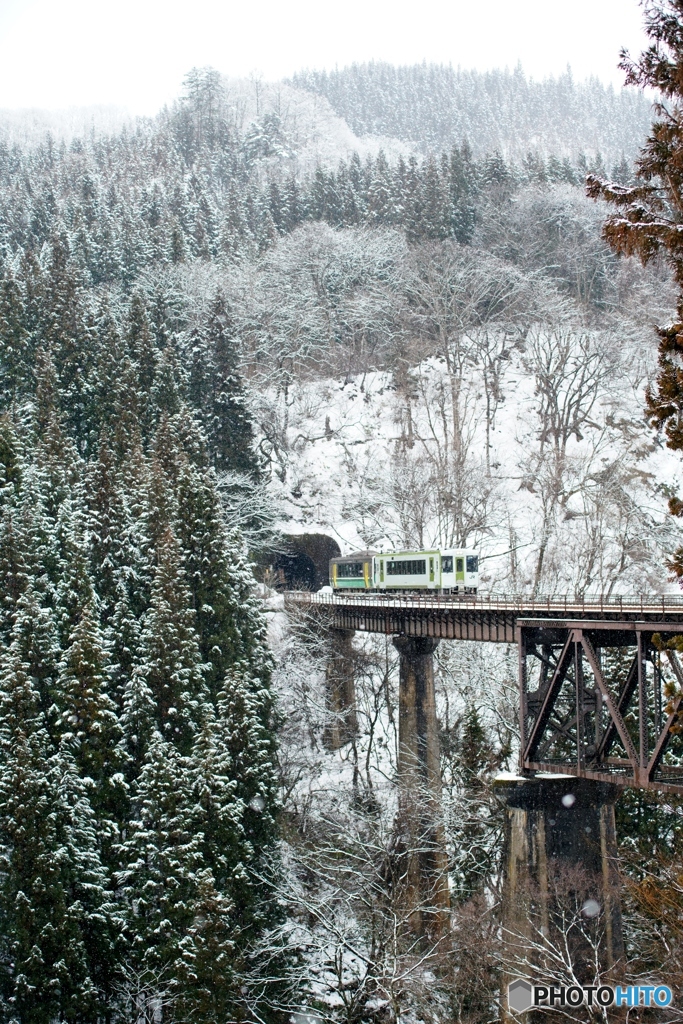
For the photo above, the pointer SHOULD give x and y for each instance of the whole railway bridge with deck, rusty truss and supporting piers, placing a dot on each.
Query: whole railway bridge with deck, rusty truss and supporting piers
(601, 708)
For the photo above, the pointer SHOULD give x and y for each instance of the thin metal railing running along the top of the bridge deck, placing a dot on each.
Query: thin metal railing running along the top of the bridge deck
(529, 605)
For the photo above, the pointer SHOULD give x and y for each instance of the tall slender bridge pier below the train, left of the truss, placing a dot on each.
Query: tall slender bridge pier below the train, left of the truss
(420, 798)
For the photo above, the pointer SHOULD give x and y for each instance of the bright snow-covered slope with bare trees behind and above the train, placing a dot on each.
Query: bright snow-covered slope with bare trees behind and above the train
(348, 454)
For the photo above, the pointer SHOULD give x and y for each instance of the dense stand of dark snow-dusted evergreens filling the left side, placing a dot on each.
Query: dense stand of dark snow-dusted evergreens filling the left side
(138, 793)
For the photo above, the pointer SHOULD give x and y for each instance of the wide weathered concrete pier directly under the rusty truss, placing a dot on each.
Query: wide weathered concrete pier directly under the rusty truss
(561, 883)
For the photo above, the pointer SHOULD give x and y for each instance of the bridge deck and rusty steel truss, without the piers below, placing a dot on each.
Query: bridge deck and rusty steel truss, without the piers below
(601, 680)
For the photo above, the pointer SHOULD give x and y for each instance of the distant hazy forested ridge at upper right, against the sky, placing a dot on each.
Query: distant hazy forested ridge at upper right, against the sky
(437, 107)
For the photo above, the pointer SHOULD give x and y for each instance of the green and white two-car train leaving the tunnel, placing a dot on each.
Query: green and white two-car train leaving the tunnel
(452, 572)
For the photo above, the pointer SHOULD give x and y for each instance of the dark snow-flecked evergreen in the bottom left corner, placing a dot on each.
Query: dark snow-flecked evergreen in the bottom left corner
(59, 928)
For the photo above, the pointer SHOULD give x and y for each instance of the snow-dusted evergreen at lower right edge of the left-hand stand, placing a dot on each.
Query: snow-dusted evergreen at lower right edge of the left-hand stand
(235, 807)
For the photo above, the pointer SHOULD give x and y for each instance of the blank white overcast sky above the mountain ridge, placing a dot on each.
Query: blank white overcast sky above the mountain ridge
(134, 54)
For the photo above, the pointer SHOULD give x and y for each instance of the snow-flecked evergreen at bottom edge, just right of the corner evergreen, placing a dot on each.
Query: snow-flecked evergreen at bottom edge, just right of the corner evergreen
(179, 923)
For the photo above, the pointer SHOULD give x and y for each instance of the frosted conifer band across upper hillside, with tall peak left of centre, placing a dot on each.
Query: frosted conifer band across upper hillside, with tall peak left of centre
(196, 186)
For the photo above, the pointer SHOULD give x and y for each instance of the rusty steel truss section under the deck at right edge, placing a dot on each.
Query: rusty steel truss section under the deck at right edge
(603, 701)
